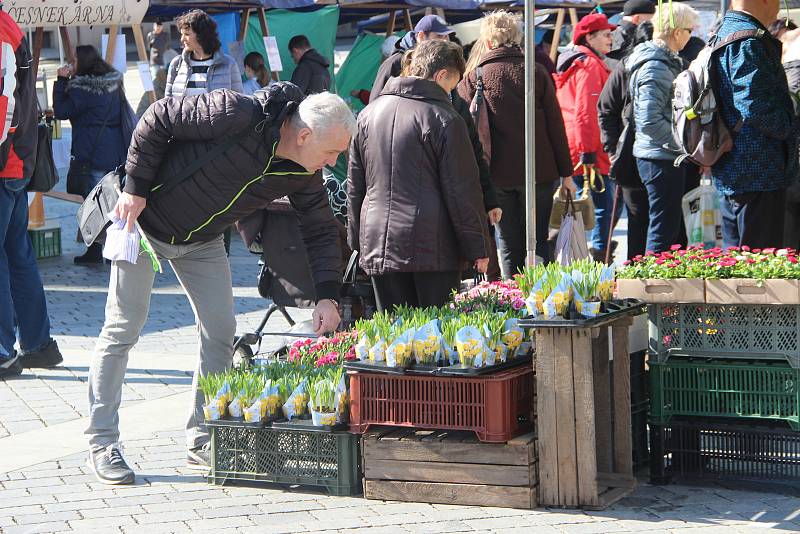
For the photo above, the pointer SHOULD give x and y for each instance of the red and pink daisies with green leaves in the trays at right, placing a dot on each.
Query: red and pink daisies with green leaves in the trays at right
(714, 263)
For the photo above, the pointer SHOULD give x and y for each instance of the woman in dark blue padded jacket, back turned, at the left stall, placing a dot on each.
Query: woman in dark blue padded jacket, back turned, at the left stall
(90, 96)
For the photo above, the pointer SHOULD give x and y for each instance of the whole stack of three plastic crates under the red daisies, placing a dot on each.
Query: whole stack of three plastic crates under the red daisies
(733, 368)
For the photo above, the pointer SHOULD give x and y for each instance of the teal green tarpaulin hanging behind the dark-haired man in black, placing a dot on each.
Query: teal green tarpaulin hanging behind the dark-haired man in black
(319, 26)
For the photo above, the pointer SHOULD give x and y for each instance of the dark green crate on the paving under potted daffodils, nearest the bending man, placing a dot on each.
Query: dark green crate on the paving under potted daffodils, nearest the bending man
(330, 460)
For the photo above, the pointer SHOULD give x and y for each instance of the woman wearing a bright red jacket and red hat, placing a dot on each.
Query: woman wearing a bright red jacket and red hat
(580, 76)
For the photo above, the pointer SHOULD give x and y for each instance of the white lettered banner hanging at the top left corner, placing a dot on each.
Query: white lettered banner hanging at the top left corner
(54, 13)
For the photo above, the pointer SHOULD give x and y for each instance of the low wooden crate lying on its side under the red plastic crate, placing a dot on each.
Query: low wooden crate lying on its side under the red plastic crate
(448, 467)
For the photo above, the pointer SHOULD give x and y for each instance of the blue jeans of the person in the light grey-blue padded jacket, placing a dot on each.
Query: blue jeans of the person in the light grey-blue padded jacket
(665, 184)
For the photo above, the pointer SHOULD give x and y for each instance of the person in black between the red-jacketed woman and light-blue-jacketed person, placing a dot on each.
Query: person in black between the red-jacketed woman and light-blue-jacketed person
(615, 113)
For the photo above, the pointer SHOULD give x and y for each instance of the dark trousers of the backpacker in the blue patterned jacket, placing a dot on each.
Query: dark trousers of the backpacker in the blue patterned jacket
(753, 219)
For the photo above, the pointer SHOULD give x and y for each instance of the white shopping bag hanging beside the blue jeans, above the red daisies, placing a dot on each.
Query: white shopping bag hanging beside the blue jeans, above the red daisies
(702, 216)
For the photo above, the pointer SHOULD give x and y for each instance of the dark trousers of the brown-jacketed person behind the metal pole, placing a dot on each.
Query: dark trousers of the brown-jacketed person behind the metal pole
(510, 232)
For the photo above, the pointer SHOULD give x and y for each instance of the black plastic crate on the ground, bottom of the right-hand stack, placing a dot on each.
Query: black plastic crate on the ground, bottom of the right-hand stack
(724, 449)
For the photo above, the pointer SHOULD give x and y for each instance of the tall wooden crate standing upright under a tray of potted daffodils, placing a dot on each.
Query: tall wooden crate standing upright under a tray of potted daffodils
(583, 413)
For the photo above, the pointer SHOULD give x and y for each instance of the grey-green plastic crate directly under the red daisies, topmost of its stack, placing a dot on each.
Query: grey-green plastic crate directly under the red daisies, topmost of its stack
(744, 331)
